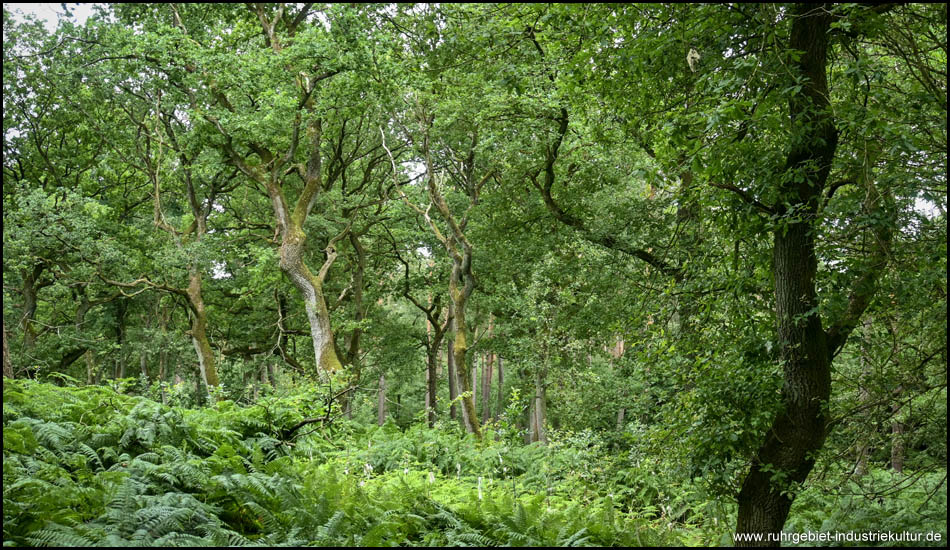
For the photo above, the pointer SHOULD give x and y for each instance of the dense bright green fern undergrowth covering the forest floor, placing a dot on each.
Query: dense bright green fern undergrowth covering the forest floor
(87, 466)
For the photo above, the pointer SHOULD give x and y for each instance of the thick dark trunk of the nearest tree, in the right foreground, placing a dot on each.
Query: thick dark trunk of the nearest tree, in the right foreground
(788, 454)
